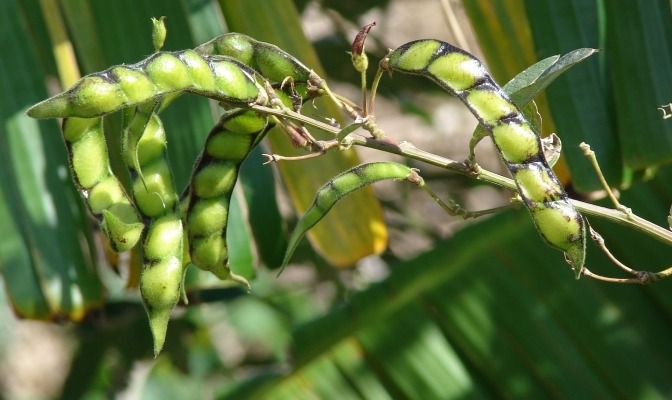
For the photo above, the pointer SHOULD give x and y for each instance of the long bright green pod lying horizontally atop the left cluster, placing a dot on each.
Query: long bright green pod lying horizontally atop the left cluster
(217, 77)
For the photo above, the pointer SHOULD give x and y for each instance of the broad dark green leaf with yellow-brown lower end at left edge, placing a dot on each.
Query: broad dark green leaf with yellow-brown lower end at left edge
(44, 278)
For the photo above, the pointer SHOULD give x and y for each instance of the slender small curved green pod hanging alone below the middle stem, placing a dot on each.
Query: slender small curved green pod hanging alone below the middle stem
(339, 187)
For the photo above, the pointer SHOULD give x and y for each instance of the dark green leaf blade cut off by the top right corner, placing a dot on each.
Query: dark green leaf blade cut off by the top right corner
(638, 54)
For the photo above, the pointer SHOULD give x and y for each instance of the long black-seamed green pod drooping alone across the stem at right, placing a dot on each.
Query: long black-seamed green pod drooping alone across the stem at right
(461, 74)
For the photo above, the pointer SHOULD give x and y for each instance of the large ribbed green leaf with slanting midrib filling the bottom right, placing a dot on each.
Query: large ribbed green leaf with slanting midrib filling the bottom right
(491, 313)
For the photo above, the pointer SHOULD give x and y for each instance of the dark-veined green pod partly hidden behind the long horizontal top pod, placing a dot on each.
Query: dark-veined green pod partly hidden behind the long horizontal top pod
(270, 61)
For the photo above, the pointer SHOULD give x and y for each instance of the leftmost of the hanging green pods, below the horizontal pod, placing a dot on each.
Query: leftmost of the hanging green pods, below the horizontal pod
(99, 187)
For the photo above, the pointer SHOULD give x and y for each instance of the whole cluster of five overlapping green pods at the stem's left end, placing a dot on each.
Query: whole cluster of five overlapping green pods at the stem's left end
(174, 230)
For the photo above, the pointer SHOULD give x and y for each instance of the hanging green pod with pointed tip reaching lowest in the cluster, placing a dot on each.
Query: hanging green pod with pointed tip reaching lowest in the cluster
(144, 151)
